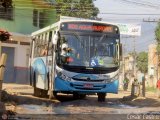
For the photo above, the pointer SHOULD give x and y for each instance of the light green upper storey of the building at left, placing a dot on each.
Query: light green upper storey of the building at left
(26, 16)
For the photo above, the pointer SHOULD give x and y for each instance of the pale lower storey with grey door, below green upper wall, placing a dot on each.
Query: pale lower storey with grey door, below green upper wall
(17, 51)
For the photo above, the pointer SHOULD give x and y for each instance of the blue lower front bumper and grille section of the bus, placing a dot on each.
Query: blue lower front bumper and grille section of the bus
(66, 86)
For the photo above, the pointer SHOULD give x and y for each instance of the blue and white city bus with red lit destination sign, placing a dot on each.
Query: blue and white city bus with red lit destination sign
(81, 57)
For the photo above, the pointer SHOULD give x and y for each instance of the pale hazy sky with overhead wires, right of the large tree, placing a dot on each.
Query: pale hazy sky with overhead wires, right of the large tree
(132, 12)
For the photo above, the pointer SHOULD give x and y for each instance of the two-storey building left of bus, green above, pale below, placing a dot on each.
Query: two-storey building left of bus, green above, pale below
(20, 18)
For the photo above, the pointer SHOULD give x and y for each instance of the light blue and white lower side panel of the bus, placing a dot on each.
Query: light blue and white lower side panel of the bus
(40, 71)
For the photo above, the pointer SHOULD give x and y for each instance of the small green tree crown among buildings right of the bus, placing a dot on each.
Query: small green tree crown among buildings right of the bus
(142, 62)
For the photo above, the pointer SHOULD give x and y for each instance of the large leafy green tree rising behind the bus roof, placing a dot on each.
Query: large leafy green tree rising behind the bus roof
(76, 8)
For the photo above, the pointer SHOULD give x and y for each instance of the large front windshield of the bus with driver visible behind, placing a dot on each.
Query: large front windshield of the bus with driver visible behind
(87, 50)
